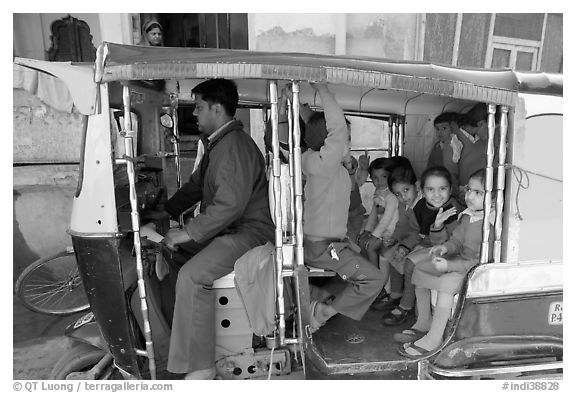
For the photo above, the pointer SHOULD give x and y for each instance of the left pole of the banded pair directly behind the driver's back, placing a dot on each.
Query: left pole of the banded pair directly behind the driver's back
(276, 187)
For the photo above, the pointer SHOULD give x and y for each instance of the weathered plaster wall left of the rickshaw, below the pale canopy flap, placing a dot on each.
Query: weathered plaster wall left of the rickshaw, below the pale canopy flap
(42, 194)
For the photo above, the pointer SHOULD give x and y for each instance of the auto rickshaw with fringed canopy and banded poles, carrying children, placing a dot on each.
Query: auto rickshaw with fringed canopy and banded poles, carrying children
(507, 321)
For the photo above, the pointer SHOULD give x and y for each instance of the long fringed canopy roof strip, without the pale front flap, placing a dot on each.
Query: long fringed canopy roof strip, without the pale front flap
(126, 62)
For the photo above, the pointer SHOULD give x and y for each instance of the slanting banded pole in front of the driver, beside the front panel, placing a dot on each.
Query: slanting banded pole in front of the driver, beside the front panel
(131, 154)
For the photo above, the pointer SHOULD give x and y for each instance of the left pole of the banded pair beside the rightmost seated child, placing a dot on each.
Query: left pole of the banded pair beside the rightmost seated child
(488, 186)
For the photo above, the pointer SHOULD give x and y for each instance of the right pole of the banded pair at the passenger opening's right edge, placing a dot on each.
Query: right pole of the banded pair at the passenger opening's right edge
(501, 183)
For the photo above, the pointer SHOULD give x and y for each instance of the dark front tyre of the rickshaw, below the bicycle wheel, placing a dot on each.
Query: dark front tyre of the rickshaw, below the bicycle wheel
(79, 359)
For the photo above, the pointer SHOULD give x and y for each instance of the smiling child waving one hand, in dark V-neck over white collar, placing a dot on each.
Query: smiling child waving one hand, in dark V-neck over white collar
(434, 219)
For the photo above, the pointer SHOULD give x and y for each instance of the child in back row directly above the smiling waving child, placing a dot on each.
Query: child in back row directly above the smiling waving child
(447, 148)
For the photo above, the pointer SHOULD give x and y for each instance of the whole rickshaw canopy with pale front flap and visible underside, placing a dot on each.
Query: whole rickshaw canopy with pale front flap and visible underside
(360, 83)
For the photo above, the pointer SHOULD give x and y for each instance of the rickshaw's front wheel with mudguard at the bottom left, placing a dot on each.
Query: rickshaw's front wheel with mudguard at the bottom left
(83, 361)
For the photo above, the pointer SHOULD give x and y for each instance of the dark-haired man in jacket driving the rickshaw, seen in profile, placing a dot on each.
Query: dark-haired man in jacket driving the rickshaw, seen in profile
(234, 217)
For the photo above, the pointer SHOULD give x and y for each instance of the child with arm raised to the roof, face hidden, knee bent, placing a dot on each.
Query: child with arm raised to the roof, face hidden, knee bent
(327, 199)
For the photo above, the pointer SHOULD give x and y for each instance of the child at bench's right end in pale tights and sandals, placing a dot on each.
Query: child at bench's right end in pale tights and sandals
(444, 270)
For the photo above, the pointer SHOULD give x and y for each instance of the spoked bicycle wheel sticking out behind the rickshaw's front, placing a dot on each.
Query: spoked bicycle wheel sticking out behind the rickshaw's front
(52, 285)
